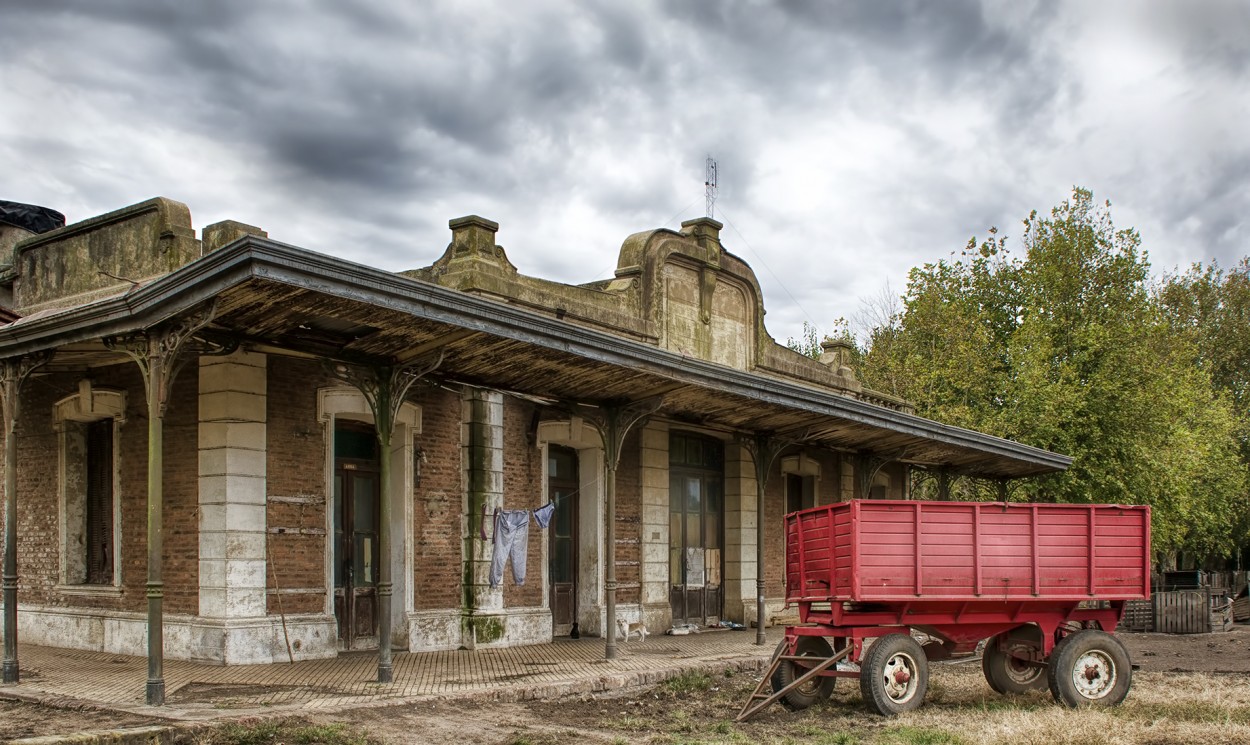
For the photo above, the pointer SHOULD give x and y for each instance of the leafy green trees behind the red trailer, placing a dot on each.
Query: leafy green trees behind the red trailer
(1069, 349)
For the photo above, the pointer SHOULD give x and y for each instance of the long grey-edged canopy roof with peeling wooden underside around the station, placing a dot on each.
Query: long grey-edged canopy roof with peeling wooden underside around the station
(282, 299)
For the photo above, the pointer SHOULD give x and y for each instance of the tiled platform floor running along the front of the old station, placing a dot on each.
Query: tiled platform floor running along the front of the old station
(197, 692)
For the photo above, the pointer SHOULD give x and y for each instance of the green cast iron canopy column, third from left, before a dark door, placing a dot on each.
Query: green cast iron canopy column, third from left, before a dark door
(386, 388)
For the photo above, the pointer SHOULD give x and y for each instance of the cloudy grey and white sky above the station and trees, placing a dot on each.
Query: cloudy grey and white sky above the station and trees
(854, 139)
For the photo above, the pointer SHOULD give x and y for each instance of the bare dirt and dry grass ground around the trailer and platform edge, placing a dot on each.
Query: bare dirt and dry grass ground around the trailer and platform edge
(1176, 677)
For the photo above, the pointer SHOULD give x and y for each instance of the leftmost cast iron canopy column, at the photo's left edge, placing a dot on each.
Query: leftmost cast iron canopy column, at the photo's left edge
(14, 373)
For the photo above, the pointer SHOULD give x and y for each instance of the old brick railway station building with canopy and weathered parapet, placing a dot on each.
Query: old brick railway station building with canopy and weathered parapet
(228, 449)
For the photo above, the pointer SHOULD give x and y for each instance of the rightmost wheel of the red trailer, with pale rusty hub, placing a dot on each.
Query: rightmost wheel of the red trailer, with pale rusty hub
(1089, 669)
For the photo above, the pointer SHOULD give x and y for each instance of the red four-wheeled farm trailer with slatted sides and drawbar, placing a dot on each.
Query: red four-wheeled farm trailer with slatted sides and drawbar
(1044, 584)
